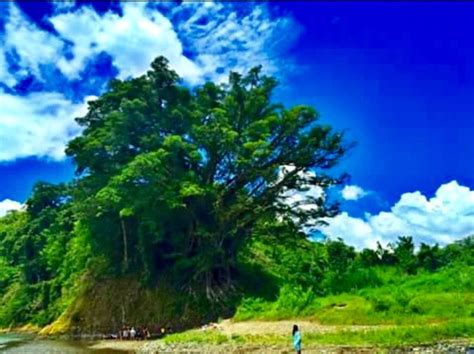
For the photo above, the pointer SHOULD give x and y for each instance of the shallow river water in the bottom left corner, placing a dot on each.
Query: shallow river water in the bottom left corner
(25, 344)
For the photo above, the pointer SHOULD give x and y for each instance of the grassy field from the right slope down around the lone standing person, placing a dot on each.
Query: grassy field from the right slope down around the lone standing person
(403, 310)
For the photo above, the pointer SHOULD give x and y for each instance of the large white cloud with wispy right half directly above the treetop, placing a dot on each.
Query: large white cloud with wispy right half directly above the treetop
(219, 38)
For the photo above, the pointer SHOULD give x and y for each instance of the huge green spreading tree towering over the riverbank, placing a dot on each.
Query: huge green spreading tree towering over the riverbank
(173, 180)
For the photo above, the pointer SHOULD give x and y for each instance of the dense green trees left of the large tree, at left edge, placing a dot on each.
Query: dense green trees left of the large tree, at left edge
(44, 251)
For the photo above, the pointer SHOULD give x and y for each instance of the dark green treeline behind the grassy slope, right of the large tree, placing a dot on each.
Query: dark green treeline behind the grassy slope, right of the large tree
(333, 267)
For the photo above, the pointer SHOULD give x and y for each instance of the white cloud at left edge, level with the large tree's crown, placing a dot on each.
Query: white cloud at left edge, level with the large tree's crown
(39, 124)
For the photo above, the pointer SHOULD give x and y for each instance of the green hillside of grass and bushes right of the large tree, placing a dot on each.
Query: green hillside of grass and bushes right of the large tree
(437, 286)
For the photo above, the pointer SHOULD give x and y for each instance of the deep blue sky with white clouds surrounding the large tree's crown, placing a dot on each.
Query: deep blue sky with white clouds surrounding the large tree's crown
(398, 77)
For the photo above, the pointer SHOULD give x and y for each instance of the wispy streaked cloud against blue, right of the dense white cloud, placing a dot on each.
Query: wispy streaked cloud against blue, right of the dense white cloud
(225, 40)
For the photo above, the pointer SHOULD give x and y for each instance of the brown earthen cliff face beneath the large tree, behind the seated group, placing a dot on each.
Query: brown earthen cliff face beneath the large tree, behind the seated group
(104, 307)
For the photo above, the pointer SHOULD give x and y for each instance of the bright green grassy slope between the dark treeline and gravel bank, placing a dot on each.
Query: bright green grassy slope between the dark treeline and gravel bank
(401, 300)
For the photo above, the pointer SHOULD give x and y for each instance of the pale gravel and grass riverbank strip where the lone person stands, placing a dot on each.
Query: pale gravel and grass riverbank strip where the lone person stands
(272, 337)
